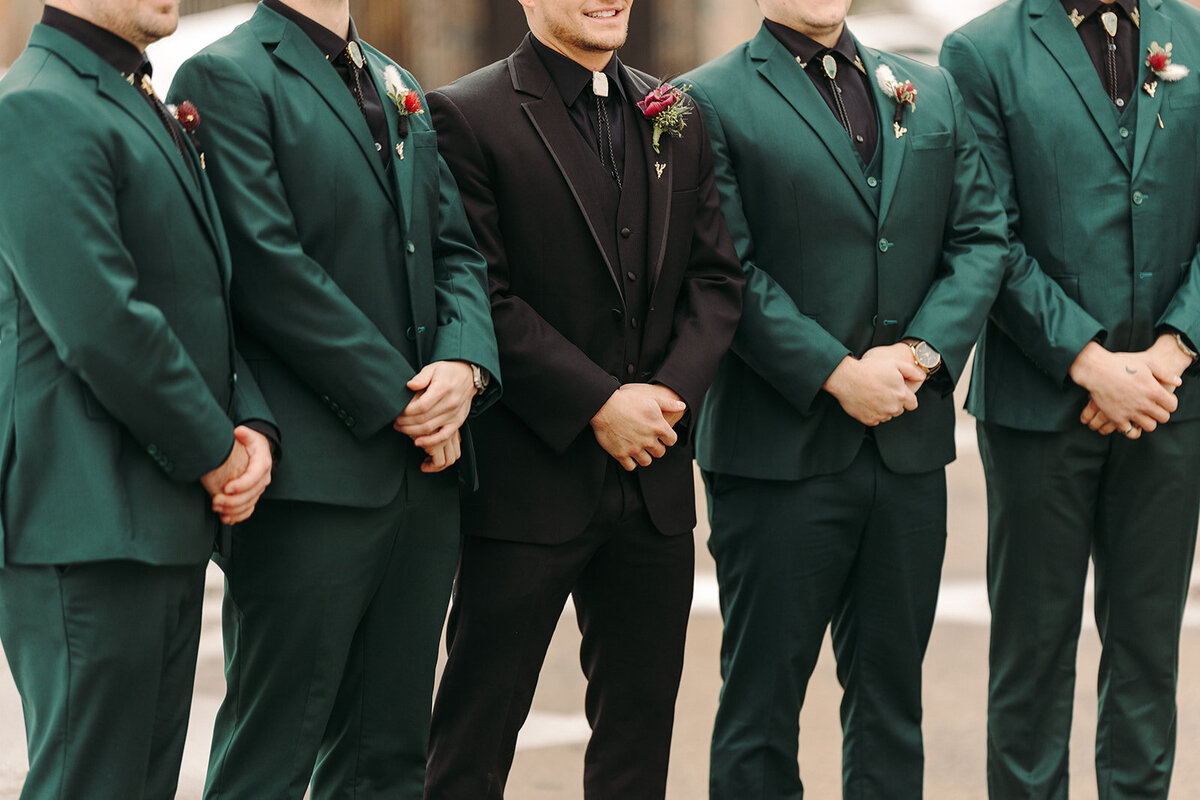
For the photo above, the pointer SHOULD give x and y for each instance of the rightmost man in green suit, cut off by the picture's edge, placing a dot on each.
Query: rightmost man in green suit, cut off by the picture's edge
(1089, 121)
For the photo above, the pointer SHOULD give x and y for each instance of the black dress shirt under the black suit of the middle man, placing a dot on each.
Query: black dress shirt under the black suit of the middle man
(574, 85)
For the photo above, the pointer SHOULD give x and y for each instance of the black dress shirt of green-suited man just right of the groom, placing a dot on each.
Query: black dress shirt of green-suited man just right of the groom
(851, 83)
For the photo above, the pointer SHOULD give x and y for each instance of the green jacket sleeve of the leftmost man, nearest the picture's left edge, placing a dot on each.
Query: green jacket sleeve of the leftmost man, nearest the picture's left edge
(61, 236)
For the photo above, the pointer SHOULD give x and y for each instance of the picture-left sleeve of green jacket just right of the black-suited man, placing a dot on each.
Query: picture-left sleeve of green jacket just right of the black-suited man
(789, 350)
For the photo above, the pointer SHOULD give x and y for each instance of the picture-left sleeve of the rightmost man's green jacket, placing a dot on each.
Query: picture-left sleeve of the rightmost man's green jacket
(1033, 309)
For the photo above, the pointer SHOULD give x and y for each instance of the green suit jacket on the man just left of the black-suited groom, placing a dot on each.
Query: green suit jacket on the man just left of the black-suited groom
(349, 278)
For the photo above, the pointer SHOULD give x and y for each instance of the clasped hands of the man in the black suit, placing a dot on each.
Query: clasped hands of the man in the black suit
(633, 425)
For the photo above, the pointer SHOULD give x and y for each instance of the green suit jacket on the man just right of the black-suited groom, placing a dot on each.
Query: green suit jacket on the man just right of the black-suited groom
(838, 262)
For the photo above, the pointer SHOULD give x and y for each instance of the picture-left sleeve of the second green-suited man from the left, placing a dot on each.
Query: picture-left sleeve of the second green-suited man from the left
(319, 333)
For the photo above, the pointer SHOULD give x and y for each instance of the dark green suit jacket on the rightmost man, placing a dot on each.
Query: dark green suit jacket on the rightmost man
(1103, 214)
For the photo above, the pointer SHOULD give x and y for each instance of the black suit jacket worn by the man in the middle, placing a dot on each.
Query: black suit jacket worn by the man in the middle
(560, 316)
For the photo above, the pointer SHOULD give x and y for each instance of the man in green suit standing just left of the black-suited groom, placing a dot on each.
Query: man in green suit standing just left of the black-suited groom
(365, 314)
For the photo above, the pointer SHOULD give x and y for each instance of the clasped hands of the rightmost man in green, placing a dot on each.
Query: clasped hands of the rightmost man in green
(1131, 393)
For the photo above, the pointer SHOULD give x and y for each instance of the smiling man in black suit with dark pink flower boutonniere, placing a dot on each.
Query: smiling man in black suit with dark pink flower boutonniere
(615, 291)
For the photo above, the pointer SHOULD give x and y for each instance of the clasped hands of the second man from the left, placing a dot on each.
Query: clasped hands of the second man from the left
(435, 416)
